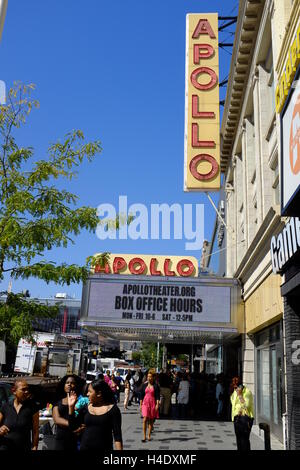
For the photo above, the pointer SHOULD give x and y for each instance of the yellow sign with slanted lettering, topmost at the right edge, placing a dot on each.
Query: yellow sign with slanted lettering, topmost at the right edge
(286, 79)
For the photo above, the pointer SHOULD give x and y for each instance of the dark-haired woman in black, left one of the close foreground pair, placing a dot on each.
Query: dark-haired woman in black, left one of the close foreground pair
(65, 438)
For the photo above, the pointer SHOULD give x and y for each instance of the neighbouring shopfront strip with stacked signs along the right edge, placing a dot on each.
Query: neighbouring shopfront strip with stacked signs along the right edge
(285, 244)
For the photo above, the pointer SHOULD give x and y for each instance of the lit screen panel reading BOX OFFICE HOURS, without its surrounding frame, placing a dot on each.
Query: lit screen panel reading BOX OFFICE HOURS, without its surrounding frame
(144, 302)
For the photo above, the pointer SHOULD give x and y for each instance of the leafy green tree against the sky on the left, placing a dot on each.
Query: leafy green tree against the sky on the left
(36, 216)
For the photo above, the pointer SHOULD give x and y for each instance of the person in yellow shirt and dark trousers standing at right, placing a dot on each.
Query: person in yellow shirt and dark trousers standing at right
(242, 415)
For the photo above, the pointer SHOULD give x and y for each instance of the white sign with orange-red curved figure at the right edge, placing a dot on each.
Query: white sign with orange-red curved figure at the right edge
(290, 154)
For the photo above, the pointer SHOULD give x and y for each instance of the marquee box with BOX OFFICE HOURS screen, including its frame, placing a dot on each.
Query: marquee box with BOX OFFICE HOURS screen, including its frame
(179, 304)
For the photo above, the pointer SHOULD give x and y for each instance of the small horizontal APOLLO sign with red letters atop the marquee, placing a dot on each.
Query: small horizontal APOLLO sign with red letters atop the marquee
(152, 265)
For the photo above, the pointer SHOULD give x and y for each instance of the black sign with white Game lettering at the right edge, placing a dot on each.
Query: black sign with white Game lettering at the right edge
(285, 245)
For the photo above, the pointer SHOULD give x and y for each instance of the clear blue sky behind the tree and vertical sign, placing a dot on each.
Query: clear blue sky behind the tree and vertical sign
(115, 70)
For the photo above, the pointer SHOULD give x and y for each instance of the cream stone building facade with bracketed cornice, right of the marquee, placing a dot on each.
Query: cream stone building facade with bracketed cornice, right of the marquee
(251, 162)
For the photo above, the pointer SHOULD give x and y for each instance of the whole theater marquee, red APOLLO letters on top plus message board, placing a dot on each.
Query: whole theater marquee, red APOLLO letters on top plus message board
(132, 299)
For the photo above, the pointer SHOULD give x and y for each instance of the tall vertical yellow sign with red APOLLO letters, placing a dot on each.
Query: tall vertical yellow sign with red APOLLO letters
(202, 117)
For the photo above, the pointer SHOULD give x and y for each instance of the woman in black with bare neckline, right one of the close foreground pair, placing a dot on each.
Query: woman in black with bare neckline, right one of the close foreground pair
(102, 419)
